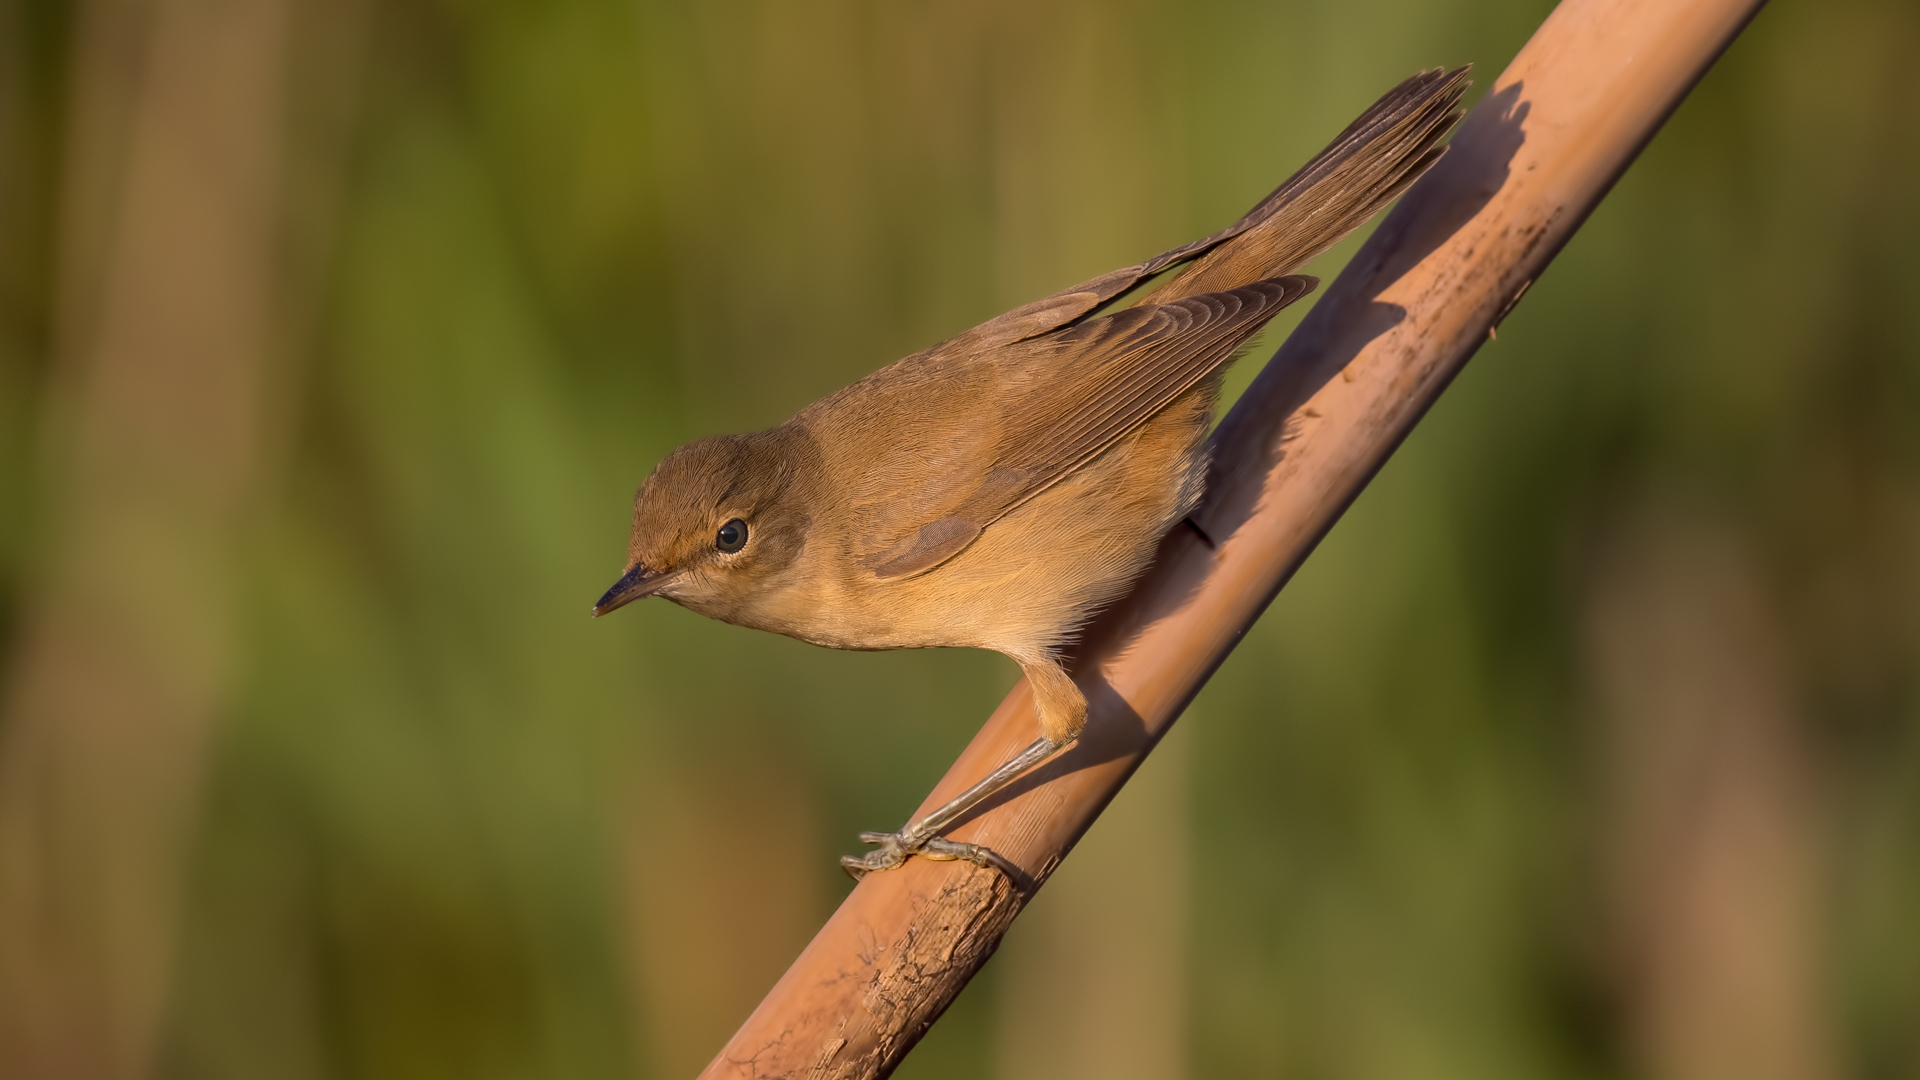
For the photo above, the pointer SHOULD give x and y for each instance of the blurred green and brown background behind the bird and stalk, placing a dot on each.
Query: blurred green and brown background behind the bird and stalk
(335, 337)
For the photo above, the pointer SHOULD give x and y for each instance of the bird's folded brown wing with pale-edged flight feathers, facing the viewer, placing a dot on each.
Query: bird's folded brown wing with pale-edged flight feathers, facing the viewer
(1040, 410)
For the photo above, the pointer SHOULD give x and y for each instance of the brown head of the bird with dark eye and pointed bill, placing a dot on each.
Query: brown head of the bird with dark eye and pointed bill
(715, 524)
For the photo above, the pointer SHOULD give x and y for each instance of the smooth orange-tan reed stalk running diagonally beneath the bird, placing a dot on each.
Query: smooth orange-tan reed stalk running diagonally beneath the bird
(1447, 266)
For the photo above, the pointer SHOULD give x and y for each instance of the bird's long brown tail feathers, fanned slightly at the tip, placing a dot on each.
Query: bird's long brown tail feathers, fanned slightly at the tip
(1347, 184)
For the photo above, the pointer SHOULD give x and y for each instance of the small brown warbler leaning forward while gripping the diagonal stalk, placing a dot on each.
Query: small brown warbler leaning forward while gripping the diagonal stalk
(999, 487)
